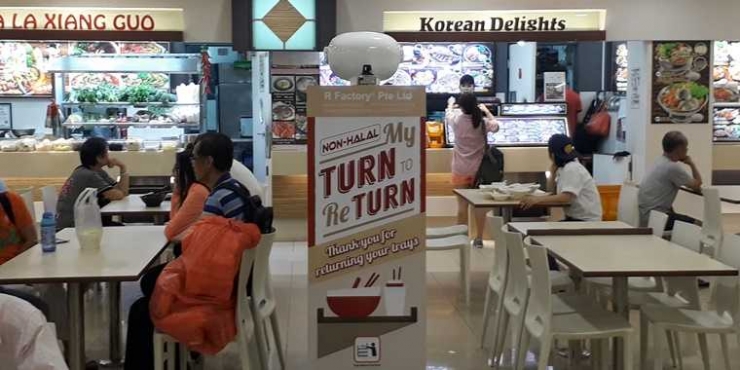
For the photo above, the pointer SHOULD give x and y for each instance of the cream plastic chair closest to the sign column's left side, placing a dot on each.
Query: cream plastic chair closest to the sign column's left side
(264, 306)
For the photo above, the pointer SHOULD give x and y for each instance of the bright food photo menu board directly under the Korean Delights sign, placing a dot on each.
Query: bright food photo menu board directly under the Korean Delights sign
(436, 66)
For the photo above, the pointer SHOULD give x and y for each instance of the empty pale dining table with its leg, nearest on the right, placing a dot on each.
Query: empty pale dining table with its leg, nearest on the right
(621, 254)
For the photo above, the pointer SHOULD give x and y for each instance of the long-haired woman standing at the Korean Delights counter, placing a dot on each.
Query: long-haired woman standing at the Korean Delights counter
(471, 122)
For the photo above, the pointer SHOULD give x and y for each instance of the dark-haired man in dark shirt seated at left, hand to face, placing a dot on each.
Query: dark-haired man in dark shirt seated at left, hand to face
(90, 174)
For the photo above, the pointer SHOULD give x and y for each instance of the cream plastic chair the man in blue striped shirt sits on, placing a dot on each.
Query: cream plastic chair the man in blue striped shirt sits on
(165, 346)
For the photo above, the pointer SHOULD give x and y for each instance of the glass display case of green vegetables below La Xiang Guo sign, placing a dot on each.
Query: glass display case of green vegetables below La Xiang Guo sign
(113, 93)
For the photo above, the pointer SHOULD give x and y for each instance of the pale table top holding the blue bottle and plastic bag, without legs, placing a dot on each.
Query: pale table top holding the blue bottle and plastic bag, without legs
(124, 254)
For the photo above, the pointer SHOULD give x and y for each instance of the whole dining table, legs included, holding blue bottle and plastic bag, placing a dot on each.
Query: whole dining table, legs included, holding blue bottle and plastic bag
(124, 255)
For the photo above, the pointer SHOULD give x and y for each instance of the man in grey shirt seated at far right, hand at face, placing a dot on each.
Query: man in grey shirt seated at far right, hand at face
(659, 189)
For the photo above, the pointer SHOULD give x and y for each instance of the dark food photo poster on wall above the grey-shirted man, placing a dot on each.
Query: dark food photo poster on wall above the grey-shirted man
(681, 78)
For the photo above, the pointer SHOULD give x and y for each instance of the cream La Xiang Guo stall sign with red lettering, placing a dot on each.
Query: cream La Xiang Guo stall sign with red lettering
(86, 19)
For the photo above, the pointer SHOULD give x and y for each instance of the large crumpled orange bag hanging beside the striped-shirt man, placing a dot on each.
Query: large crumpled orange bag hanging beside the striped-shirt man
(193, 300)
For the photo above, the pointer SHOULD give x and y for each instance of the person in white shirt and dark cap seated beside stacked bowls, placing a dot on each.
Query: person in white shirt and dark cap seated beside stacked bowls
(574, 184)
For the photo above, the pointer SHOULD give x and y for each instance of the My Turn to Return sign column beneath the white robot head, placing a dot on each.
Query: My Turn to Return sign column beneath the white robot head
(367, 273)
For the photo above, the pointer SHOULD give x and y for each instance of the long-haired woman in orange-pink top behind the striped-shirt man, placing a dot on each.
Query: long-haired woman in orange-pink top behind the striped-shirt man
(188, 197)
